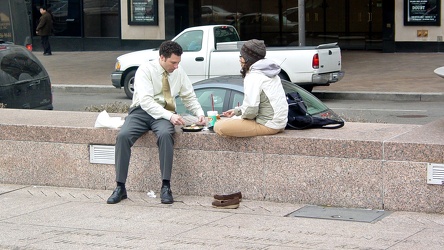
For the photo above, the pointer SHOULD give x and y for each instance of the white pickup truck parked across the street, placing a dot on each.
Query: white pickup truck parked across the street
(213, 50)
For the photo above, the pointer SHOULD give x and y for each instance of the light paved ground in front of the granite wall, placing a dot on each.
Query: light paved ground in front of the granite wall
(35, 217)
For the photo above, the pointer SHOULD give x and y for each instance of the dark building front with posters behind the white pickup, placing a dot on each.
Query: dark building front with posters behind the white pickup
(384, 25)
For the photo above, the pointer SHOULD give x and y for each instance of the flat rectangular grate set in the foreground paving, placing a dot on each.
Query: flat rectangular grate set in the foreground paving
(335, 213)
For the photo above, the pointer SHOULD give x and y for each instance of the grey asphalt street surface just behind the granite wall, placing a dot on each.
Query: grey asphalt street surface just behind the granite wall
(398, 112)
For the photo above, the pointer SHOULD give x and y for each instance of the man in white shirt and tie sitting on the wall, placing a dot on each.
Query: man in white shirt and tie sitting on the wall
(156, 84)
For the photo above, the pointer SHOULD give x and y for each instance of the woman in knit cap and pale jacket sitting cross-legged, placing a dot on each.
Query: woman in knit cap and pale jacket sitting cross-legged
(264, 110)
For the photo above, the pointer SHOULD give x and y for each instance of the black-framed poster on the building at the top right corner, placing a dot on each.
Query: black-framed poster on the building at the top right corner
(422, 12)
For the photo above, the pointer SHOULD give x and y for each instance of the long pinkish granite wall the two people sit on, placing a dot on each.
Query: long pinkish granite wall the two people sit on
(362, 165)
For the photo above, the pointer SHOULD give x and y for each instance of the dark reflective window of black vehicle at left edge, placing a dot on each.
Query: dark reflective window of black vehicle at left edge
(17, 66)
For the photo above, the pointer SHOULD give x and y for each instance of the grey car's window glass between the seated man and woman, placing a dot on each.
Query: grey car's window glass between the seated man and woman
(204, 97)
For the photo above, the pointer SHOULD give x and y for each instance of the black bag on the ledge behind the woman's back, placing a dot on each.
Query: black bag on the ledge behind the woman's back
(299, 118)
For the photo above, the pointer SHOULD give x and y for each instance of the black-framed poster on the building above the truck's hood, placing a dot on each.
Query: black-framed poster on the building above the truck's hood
(142, 12)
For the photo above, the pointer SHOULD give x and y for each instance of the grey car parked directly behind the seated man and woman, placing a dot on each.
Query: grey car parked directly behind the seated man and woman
(228, 92)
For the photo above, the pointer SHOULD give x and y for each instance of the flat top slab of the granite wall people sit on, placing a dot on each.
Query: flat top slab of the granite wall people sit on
(354, 140)
